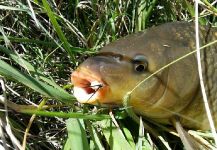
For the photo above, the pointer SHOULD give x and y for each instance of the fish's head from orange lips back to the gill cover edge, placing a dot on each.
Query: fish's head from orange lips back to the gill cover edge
(123, 65)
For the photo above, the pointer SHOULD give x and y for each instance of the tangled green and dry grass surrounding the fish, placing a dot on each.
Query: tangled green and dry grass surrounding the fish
(42, 42)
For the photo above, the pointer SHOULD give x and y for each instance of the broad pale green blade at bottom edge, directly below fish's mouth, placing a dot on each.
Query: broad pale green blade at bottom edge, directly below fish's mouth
(77, 138)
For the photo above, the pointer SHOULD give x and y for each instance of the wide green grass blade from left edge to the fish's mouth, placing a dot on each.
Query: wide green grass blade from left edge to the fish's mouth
(46, 90)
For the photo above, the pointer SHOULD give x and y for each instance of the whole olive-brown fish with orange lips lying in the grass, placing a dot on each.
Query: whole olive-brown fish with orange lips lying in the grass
(107, 77)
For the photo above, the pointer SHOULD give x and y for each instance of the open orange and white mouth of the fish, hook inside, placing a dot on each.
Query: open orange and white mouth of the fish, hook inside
(88, 87)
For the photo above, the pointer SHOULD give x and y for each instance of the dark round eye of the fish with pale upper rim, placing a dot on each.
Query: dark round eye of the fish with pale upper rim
(140, 63)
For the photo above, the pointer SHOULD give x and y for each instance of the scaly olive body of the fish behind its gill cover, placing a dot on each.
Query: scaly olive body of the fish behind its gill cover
(196, 109)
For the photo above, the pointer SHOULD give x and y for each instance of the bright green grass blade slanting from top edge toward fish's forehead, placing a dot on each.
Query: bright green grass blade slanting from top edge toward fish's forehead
(53, 20)
